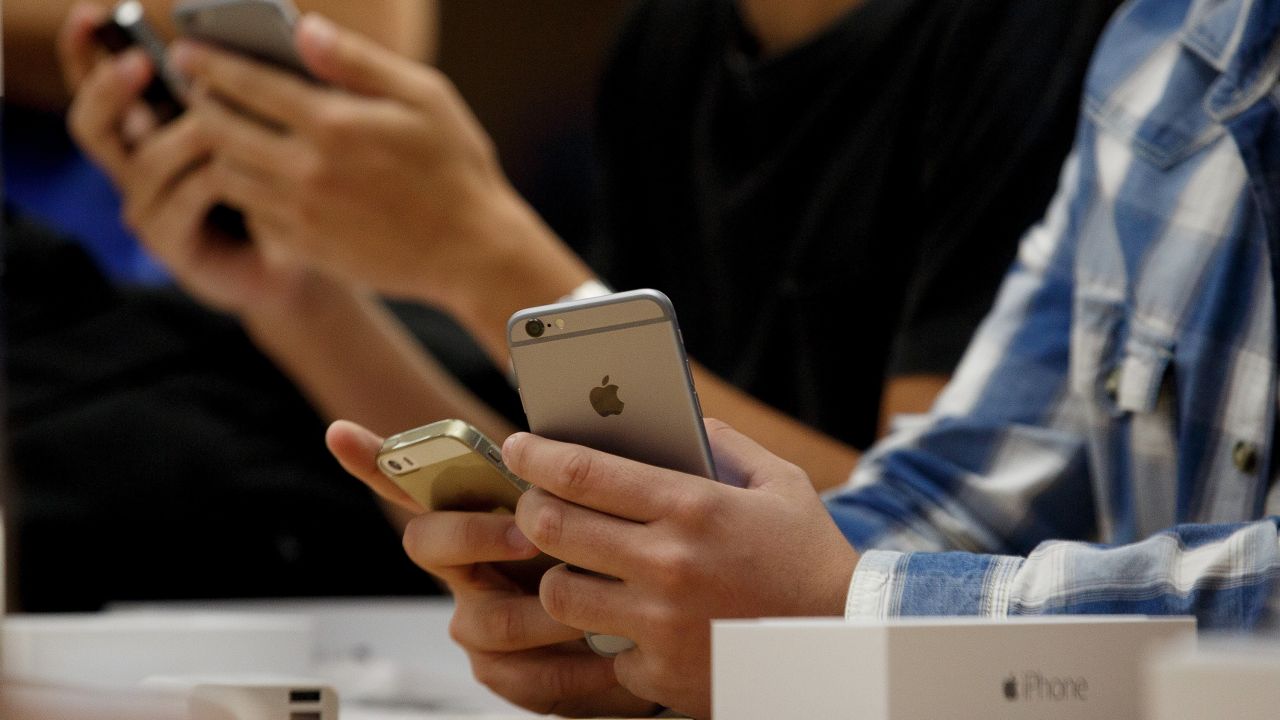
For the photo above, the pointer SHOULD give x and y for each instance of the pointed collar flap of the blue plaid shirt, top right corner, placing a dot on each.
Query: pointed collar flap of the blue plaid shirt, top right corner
(1241, 39)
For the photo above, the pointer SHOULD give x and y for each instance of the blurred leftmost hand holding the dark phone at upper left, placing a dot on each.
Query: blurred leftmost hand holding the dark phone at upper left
(164, 177)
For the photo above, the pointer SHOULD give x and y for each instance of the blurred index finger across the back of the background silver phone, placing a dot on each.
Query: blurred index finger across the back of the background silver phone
(268, 93)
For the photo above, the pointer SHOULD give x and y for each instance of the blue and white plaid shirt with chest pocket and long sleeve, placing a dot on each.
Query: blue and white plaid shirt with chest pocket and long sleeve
(1107, 443)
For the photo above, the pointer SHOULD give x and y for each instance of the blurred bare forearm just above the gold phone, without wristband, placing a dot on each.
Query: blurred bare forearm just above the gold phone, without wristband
(354, 361)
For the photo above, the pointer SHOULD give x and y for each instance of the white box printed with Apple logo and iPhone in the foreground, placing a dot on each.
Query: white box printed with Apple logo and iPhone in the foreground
(1058, 668)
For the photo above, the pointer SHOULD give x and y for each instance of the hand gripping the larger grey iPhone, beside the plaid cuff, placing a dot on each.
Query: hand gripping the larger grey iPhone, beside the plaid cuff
(684, 550)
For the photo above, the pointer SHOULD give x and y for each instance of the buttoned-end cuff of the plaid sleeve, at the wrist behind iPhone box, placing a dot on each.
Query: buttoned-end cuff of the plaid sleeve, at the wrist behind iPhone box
(889, 585)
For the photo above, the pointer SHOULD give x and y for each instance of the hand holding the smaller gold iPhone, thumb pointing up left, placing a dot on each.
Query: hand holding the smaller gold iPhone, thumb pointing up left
(515, 648)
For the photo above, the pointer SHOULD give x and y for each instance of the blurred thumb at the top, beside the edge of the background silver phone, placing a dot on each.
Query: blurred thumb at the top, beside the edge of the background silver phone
(349, 61)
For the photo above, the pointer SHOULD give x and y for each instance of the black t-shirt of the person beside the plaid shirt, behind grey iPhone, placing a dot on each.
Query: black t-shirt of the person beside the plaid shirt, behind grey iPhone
(843, 212)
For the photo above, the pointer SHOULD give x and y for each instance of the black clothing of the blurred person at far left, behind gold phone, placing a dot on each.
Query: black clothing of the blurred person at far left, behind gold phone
(154, 453)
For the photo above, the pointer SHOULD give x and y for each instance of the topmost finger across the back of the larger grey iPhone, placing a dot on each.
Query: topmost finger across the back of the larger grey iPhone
(596, 480)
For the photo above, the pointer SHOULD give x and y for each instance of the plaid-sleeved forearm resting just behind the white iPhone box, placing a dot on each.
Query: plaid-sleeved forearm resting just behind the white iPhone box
(1223, 575)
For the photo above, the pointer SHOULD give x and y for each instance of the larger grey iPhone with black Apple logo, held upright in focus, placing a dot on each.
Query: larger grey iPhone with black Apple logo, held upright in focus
(611, 373)
